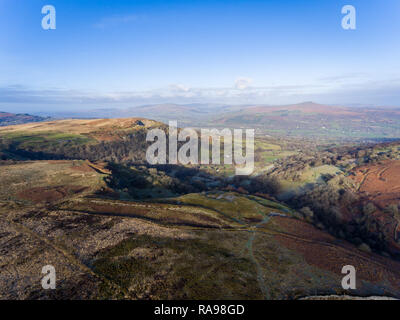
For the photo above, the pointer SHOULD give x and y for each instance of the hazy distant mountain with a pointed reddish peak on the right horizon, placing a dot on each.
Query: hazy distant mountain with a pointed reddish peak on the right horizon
(316, 120)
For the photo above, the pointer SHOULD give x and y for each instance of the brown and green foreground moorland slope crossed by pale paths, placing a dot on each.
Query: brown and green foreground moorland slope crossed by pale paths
(213, 245)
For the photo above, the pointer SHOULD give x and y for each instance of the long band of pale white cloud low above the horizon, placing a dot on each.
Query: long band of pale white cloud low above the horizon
(378, 92)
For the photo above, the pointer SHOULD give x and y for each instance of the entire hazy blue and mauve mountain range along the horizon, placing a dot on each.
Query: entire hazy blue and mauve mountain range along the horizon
(303, 119)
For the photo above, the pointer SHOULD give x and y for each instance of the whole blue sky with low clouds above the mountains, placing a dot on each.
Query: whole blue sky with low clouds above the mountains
(119, 53)
